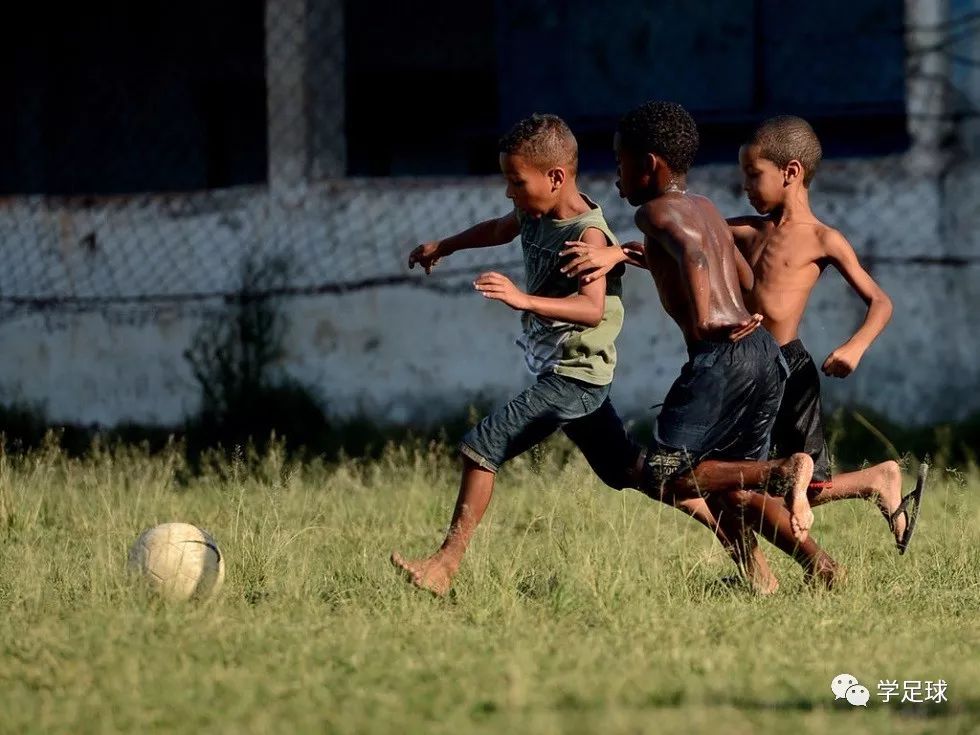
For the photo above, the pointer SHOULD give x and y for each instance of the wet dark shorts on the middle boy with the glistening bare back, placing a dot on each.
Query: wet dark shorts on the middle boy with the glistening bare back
(722, 406)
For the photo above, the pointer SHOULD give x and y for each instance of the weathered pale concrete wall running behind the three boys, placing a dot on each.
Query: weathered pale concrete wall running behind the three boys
(409, 348)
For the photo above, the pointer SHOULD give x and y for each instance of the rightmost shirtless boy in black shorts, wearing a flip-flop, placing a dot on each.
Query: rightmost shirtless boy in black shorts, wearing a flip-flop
(788, 249)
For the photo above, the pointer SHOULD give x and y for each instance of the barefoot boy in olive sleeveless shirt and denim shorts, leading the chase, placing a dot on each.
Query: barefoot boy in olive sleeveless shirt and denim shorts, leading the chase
(569, 329)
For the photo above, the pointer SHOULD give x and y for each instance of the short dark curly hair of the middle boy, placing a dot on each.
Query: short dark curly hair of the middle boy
(663, 128)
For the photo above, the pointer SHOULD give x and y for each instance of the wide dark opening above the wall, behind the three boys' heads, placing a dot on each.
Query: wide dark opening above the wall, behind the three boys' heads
(430, 87)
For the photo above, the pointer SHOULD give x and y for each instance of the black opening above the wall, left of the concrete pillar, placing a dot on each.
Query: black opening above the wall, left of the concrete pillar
(119, 97)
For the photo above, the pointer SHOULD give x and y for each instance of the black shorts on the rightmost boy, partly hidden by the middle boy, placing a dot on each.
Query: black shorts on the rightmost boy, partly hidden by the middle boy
(799, 422)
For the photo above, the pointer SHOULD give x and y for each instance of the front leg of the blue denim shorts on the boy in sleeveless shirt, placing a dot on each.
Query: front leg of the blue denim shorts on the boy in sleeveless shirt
(552, 403)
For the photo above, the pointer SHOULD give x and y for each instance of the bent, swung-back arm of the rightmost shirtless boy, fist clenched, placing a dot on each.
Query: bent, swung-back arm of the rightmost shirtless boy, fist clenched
(843, 361)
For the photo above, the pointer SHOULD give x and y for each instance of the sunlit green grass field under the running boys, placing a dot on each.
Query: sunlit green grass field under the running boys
(578, 609)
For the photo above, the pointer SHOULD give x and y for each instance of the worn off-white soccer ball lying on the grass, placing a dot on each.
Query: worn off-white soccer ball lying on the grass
(178, 561)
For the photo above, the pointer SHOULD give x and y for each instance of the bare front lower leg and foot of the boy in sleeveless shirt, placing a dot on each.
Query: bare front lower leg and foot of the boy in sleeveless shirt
(435, 573)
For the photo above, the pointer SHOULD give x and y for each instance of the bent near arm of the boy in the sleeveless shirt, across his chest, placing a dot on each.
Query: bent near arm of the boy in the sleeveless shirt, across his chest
(585, 307)
